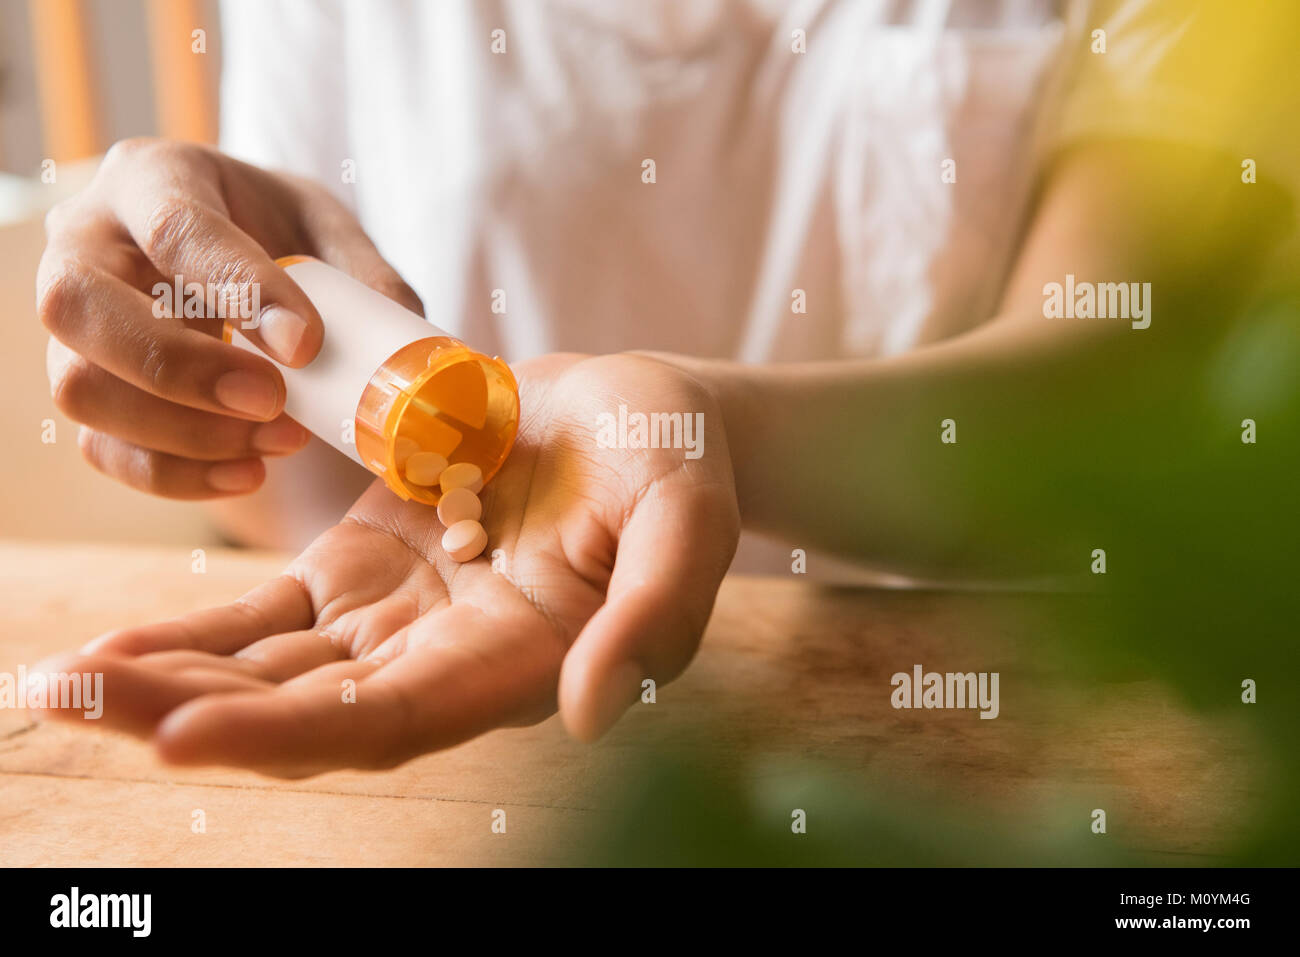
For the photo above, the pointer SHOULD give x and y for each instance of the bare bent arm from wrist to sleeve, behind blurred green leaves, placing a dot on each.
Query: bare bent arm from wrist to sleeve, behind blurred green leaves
(1016, 448)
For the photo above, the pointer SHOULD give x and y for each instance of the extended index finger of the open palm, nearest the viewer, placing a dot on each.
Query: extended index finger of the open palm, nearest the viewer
(462, 675)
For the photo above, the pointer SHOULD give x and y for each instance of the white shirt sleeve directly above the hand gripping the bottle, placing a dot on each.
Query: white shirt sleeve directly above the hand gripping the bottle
(284, 92)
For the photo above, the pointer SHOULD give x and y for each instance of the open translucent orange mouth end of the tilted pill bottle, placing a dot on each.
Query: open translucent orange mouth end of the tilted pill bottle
(448, 400)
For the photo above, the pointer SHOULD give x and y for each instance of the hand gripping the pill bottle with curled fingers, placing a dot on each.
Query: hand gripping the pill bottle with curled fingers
(140, 272)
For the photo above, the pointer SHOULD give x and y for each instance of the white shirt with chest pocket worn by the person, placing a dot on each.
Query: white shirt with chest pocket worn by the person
(873, 159)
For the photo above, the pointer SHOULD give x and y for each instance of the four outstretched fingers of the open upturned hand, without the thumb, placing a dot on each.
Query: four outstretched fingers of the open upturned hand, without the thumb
(292, 705)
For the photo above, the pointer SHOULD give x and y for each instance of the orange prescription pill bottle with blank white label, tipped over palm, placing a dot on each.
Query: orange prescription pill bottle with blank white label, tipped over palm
(385, 374)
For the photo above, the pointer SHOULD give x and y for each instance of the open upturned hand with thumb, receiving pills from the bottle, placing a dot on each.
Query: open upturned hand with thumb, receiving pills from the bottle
(374, 647)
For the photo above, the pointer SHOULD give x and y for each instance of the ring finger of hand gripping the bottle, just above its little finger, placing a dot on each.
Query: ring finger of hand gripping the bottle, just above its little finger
(98, 400)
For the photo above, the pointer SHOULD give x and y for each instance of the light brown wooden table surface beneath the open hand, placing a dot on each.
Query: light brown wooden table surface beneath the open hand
(791, 677)
